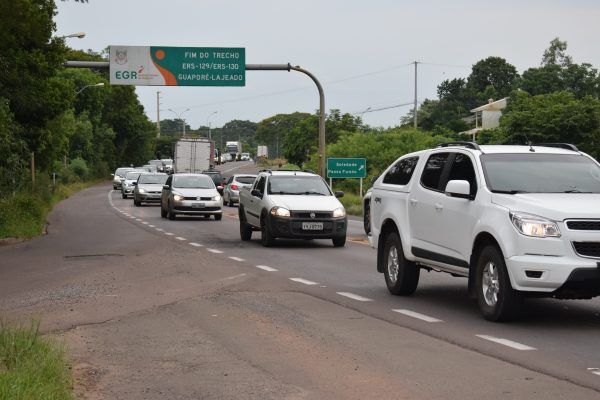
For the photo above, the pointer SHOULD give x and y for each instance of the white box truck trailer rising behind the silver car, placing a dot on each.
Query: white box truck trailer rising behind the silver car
(193, 155)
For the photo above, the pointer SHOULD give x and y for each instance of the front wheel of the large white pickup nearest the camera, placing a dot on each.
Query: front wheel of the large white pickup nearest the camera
(497, 300)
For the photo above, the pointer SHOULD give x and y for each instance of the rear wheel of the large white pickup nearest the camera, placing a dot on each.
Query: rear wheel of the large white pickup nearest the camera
(401, 275)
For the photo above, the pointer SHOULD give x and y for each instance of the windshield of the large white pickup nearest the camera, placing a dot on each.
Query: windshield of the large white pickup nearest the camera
(541, 173)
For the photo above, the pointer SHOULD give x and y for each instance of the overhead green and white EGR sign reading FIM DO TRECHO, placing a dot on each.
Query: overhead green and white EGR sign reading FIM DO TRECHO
(177, 66)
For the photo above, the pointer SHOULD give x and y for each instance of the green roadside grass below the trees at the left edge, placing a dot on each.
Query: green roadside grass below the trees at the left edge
(24, 214)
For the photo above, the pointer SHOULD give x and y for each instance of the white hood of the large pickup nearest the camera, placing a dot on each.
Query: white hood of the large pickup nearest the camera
(556, 206)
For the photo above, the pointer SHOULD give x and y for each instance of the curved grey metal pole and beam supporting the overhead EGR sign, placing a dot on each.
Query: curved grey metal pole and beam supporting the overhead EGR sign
(253, 67)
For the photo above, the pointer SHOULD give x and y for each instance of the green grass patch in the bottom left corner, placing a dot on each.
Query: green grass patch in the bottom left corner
(32, 367)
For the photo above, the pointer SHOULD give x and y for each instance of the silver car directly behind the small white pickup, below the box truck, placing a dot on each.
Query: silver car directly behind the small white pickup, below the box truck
(193, 194)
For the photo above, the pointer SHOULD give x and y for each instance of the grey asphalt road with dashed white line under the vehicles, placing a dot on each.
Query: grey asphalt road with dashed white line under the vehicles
(153, 308)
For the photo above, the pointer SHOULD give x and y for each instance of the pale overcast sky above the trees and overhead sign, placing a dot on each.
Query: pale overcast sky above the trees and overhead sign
(359, 50)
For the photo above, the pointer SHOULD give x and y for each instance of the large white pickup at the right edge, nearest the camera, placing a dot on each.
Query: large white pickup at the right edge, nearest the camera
(517, 221)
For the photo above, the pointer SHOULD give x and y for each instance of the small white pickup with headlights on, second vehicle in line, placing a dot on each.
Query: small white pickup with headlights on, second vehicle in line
(291, 204)
